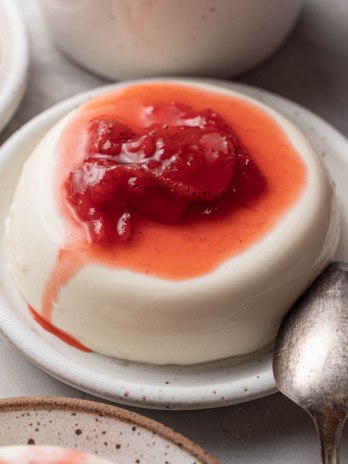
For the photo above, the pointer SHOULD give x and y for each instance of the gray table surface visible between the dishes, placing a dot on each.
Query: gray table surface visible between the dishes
(311, 69)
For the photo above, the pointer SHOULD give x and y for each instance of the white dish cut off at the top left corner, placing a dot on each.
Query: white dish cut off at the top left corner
(14, 60)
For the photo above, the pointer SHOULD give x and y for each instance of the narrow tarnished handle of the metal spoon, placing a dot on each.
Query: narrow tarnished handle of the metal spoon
(329, 426)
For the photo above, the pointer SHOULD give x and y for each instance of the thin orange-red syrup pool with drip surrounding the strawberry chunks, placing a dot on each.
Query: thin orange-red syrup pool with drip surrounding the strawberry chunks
(184, 249)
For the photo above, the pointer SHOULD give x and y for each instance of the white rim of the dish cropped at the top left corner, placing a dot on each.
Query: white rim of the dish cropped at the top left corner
(15, 81)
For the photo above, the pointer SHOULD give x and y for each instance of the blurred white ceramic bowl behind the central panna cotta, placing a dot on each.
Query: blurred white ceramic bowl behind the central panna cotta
(123, 39)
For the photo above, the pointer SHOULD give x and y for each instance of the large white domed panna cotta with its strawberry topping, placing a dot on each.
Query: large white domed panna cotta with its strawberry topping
(170, 223)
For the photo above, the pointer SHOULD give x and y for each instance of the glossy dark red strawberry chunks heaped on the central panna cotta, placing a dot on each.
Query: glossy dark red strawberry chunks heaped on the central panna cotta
(185, 164)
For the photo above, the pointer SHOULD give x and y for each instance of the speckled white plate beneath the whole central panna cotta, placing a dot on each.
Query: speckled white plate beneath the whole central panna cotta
(208, 385)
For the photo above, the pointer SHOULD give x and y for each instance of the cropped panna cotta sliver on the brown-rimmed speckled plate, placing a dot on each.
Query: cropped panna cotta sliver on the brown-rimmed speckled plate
(46, 455)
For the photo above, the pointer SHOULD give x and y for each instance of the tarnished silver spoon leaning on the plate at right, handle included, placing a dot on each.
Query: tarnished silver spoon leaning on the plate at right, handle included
(310, 362)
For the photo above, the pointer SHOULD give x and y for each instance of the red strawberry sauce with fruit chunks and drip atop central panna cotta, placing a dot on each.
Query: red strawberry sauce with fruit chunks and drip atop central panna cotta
(175, 219)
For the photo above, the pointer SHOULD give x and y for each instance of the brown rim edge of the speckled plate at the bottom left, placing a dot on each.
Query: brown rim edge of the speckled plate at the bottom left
(46, 403)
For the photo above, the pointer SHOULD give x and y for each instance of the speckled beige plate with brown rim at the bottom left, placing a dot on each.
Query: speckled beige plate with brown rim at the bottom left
(108, 431)
